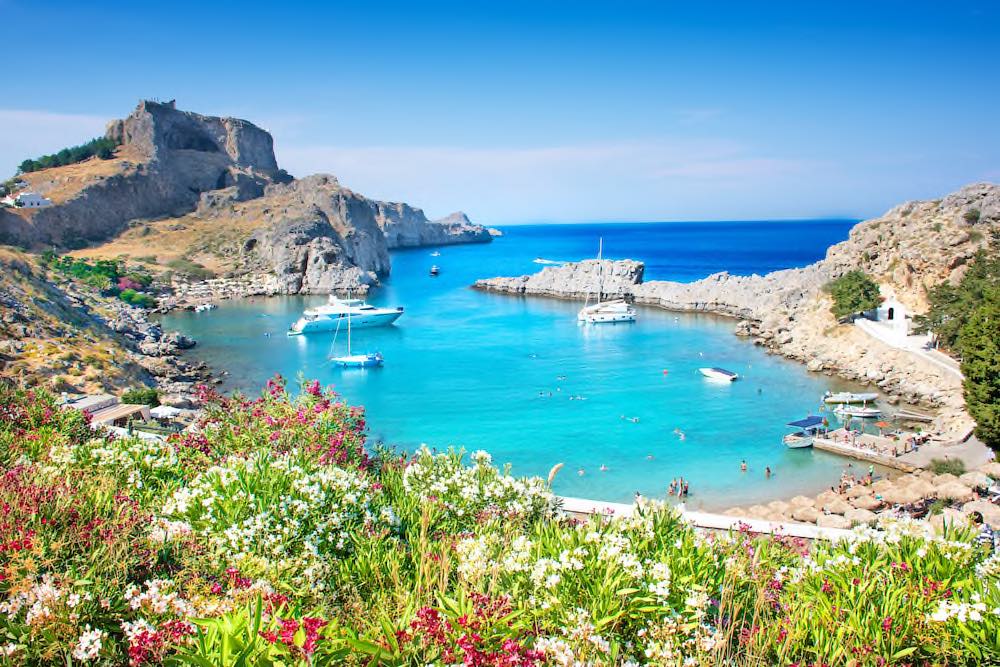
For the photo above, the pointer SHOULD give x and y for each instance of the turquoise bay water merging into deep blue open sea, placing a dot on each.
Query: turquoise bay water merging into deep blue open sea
(484, 371)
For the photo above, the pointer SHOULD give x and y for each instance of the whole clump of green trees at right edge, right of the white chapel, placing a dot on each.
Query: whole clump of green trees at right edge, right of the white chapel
(965, 319)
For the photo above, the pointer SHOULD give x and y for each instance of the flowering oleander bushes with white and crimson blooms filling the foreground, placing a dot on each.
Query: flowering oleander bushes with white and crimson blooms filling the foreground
(272, 535)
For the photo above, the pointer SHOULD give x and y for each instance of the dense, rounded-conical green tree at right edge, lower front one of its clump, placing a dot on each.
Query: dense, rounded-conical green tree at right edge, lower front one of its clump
(979, 342)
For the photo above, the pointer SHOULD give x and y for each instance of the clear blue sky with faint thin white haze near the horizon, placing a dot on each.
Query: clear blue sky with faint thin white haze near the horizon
(545, 111)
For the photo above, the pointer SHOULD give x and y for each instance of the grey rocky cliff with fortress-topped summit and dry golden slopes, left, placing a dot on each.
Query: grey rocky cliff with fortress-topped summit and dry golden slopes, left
(187, 190)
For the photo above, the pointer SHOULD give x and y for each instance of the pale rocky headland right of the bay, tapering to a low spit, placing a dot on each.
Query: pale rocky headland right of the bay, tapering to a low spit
(912, 247)
